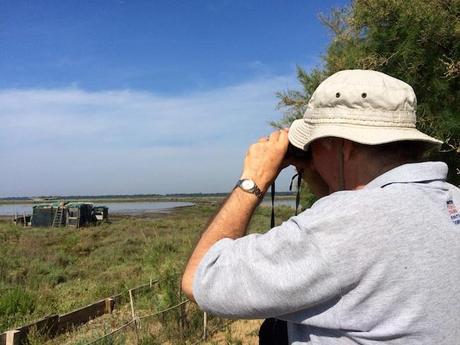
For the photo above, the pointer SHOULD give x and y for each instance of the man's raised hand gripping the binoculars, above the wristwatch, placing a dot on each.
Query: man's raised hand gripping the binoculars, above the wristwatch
(264, 160)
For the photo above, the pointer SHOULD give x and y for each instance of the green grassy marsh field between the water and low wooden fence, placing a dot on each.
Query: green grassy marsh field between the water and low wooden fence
(55, 270)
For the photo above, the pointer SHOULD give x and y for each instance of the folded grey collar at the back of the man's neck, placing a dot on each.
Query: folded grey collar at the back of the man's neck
(413, 172)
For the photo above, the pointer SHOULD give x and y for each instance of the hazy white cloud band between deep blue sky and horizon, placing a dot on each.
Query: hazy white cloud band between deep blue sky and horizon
(72, 141)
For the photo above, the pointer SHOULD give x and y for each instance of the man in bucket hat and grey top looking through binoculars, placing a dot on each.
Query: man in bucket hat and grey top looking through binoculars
(376, 260)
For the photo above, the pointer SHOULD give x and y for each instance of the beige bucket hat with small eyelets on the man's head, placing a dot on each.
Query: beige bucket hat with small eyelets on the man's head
(363, 106)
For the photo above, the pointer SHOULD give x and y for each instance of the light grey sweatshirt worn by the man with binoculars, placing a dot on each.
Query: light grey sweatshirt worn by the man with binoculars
(380, 265)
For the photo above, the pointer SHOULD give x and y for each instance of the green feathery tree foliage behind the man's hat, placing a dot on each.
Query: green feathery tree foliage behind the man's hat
(416, 41)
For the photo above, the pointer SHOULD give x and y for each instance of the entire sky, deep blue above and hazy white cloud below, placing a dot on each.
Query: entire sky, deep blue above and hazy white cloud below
(121, 97)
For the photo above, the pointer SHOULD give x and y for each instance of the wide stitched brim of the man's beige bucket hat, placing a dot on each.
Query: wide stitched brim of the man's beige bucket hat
(301, 134)
